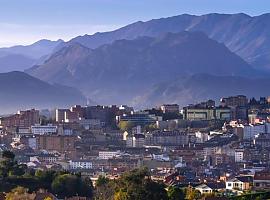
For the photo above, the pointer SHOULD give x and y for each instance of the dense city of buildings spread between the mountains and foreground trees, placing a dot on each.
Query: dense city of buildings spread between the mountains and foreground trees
(224, 147)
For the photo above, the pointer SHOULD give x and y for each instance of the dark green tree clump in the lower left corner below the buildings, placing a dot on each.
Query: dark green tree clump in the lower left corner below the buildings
(61, 183)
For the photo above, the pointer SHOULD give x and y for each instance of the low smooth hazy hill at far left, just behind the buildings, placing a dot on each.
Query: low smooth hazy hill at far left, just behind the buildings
(21, 91)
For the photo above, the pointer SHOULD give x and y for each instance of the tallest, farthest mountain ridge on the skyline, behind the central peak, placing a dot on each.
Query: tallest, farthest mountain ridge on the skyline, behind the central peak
(244, 35)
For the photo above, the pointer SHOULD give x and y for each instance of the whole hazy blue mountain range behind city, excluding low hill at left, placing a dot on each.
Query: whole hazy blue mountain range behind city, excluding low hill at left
(182, 59)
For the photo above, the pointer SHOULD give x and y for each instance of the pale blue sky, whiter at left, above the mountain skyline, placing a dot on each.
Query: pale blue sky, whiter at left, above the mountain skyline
(26, 21)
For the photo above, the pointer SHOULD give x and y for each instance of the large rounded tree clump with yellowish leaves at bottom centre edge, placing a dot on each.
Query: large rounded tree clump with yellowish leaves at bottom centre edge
(136, 184)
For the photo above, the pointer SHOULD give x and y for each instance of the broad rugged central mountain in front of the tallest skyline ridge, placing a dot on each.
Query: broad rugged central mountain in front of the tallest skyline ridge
(124, 70)
